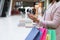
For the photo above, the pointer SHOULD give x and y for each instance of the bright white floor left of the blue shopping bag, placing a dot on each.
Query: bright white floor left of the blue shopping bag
(9, 29)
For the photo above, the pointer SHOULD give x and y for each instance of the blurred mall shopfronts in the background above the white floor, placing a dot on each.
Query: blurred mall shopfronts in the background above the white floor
(21, 7)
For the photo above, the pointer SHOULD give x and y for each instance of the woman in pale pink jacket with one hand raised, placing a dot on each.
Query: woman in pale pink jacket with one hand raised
(51, 17)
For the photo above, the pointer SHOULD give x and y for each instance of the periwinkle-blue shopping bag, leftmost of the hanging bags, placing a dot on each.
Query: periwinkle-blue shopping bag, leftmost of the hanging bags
(33, 34)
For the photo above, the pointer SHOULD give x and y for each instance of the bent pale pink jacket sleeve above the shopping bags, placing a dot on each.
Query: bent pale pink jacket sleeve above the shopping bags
(54, 23)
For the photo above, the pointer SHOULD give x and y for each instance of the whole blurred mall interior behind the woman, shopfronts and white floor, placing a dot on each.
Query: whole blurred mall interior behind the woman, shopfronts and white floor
(14, 21)
